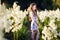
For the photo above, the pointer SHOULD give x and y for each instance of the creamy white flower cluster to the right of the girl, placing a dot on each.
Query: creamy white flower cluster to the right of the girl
(50, 32)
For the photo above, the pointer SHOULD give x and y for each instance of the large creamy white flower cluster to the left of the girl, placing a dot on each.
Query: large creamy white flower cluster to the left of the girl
(12, 17)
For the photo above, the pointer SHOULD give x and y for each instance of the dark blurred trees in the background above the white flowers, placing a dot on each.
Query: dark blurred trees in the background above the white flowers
(41, 4)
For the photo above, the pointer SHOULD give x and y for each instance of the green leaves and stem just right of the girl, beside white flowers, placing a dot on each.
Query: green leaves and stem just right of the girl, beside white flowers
(42, 24)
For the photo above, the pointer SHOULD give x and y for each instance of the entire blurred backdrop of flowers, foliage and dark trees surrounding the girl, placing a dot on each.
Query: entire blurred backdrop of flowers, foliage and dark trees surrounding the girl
(15, 24)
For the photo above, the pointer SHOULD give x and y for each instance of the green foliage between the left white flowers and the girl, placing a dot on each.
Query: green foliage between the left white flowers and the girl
(23, 32)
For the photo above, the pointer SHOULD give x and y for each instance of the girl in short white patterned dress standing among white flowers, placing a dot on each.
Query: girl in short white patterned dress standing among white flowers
(34, 21)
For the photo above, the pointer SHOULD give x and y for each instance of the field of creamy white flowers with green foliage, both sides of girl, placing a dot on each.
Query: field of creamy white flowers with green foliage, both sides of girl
(13, 22)
